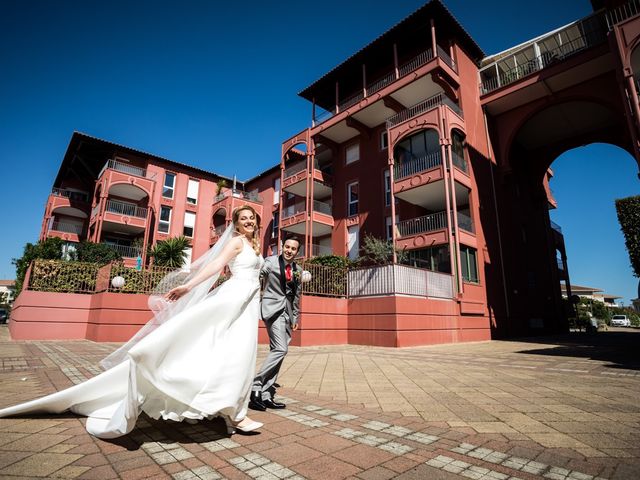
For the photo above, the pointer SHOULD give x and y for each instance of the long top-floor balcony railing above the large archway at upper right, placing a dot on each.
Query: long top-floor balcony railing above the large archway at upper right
(578, 36)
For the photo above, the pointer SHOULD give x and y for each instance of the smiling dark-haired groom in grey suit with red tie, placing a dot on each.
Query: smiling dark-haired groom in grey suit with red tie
(280, 309)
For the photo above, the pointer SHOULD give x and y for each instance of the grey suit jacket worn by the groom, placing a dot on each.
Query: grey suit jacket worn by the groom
(274, 299)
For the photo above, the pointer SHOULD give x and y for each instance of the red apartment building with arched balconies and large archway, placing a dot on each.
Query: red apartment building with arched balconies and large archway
(419, 138)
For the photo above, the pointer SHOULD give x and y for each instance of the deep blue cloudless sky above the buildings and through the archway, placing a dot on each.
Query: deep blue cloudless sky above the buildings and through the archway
(215, 86)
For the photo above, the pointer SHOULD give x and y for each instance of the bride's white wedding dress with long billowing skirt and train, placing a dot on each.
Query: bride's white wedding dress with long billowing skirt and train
(199, 364)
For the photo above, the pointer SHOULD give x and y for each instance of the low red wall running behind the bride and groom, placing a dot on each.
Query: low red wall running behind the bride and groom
(380, 321)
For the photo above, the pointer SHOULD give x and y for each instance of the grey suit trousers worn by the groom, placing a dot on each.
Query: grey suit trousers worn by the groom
(279, 338)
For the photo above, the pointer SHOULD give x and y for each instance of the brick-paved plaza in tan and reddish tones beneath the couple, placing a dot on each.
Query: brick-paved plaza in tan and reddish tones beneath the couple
(556, 408)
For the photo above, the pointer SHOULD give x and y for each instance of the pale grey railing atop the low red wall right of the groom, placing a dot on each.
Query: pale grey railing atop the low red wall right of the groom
(398, 280)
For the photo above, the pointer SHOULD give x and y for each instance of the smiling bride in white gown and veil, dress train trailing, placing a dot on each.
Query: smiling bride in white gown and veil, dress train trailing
(195, 359)
